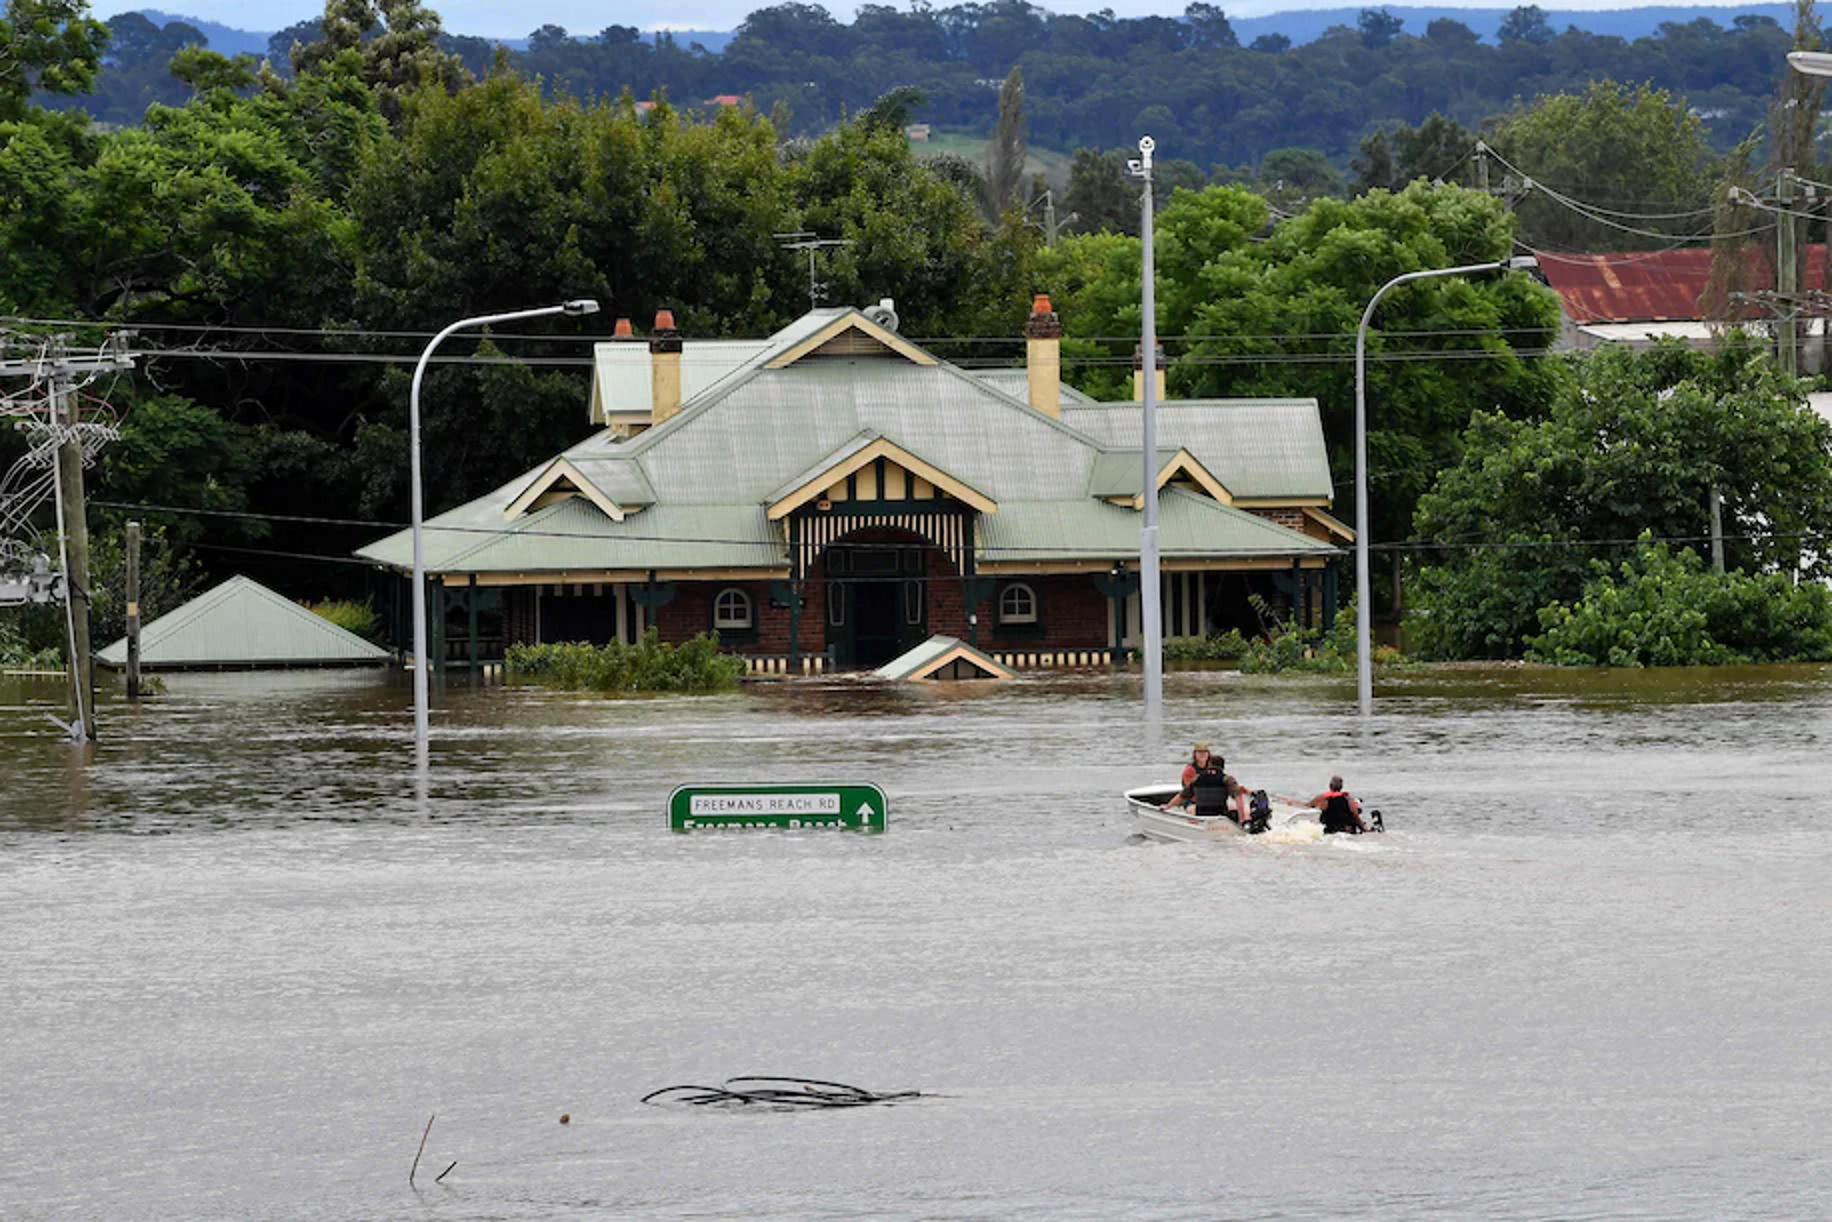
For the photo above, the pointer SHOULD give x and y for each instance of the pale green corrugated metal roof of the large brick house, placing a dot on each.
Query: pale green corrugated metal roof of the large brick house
(703, 479)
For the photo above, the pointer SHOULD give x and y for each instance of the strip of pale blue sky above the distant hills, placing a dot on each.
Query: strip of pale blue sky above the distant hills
(496, 19)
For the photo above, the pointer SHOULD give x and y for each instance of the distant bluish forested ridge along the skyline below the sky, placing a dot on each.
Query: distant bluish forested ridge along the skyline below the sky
(1091, 80)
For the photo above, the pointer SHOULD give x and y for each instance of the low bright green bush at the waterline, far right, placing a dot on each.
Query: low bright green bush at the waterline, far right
(1666, 609)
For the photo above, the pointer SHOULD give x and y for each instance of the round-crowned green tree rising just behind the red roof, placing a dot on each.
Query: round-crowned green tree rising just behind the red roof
(1617, 147)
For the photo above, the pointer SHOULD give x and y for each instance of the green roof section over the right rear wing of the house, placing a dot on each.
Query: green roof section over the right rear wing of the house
(1256, 448)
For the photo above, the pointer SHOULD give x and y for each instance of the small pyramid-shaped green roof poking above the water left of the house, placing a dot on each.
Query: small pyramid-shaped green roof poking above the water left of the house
(245, 624)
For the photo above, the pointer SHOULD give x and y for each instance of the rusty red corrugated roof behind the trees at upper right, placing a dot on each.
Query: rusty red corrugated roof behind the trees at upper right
(1653, 287)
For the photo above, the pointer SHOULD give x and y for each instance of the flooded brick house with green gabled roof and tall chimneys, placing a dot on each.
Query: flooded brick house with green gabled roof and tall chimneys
(834, 496)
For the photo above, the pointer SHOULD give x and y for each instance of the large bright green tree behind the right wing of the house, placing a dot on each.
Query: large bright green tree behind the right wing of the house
(1278, 318)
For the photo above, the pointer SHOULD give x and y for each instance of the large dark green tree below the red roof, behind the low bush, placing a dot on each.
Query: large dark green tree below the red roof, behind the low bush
(1630, 444)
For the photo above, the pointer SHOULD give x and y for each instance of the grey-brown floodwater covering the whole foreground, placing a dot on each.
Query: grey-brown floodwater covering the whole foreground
(1586, 976)
